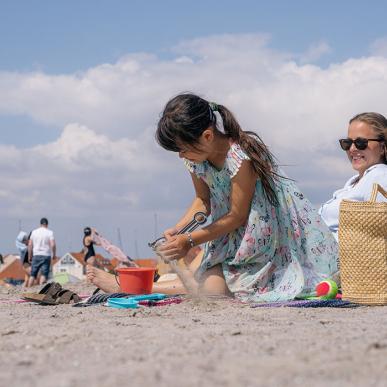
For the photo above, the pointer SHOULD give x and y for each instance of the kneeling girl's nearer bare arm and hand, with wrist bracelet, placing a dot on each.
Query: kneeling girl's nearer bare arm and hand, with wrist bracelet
(242, 192)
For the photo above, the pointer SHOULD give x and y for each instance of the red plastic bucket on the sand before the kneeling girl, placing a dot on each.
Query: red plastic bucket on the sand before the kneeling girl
(136, 280)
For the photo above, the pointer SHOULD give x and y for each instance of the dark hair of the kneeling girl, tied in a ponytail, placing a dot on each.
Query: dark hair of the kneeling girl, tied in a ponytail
(187, 116)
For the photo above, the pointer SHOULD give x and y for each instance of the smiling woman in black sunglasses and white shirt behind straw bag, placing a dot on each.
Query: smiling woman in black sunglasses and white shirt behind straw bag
(366, 147)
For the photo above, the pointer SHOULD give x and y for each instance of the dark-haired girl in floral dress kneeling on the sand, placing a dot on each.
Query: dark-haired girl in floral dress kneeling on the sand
(266, 242)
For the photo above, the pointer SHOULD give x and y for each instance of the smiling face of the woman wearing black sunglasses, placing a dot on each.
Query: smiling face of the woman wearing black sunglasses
(361, 160)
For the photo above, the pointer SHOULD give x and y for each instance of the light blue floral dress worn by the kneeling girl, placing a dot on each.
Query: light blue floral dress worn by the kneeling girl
(281, 252)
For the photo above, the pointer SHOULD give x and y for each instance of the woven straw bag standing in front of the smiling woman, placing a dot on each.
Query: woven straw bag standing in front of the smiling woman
(363, 250)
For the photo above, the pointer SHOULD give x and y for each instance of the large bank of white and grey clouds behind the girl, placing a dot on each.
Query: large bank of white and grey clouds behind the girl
(106, 161)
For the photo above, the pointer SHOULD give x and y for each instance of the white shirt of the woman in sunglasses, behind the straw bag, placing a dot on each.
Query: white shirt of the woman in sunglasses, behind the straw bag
(359, 192)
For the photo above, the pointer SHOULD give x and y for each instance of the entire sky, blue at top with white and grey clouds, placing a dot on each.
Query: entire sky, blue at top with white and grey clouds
(82, 85)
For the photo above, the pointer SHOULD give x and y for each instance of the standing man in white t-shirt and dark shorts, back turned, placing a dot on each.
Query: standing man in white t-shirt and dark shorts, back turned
(41, 247)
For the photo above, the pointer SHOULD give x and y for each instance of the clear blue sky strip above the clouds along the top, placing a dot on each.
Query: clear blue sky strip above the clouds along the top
(62, 37)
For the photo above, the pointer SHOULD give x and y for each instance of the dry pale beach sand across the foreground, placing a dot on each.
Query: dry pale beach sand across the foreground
(195, 343)
